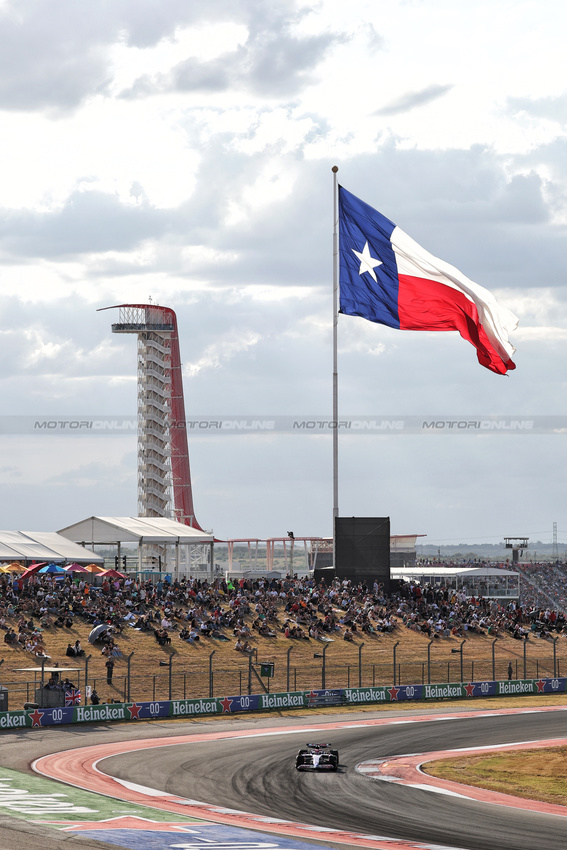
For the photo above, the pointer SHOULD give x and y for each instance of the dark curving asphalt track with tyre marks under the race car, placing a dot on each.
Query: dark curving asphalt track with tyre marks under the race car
(258, 775)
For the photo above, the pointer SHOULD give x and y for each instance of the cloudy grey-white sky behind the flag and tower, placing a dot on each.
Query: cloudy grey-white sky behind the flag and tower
(183, 152)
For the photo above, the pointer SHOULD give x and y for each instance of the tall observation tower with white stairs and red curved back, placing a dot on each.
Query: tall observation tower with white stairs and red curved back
(164, 477)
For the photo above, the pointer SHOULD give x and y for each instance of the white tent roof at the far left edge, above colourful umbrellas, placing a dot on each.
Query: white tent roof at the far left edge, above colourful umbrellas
(43, 546)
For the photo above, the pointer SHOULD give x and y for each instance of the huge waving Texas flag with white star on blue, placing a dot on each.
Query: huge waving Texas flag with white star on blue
(388, 278)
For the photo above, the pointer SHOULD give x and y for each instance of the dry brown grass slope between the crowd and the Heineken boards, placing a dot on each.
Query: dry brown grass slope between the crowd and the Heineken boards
(184, 669)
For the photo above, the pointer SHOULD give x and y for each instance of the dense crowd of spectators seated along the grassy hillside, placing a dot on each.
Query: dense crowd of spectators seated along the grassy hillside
(295, 608)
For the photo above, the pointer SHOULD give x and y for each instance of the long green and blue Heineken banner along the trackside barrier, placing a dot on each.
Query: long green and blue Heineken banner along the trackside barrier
(132, 711)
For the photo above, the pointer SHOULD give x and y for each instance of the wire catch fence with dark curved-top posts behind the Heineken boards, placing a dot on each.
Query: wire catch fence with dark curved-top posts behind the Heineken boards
(248, 675)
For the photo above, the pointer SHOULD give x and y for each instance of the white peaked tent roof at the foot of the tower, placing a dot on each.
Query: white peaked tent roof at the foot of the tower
(112, 530)
